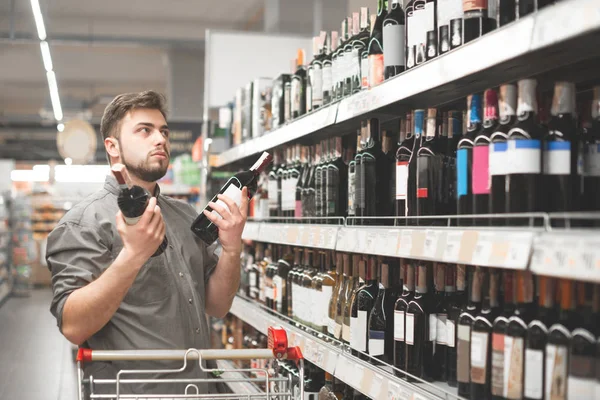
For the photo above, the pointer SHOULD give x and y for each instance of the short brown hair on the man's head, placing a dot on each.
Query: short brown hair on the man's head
(123, 103)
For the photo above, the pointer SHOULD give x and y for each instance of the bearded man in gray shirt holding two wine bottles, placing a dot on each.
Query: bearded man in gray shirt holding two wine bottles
(109, 293)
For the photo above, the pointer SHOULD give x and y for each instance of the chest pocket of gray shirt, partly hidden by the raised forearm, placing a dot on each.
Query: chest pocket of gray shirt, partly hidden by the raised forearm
(152, 285)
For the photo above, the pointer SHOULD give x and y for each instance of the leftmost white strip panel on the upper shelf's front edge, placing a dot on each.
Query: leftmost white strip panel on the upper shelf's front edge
(296, 129)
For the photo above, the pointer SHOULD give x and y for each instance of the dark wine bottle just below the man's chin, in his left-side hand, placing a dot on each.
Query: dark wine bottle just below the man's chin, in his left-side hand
(133, 201)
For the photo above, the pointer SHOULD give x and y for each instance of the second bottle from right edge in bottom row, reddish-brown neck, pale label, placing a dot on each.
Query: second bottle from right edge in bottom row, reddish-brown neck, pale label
(559, 342)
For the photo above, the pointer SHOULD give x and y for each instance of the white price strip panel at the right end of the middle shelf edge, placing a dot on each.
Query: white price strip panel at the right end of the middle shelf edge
(571, 255)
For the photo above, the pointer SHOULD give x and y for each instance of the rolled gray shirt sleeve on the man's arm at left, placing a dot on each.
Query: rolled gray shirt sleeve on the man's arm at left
(76, 255)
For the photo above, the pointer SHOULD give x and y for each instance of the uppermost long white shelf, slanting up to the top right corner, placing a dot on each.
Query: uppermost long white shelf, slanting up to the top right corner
(557, 36)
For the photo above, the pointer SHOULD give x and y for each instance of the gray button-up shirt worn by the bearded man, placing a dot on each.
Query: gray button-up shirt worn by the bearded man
(165, 306)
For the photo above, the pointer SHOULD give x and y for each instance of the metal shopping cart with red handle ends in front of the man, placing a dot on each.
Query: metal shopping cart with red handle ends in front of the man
(278, 350)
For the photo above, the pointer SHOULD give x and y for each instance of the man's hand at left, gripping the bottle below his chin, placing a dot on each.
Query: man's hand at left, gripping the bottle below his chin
(141, 240)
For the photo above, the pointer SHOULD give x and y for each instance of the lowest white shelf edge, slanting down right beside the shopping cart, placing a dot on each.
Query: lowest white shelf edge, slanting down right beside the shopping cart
(331, 356)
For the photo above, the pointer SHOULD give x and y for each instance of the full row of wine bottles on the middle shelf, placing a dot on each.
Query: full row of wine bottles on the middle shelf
(504, 153)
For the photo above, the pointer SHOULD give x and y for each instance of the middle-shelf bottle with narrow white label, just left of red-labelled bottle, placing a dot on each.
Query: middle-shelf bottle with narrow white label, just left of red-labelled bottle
(405, 147)
